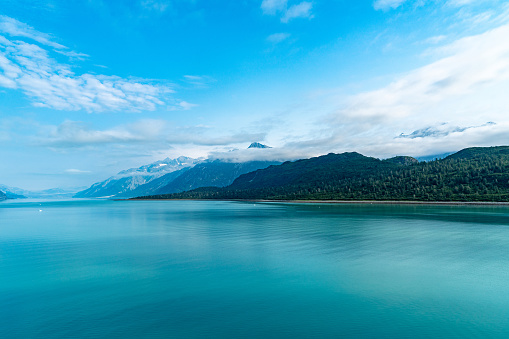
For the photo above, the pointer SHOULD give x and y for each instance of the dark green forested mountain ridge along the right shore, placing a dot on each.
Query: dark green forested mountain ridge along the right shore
(472, 174)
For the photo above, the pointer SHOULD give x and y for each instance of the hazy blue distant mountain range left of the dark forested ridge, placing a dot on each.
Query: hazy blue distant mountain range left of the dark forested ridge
(172, 176)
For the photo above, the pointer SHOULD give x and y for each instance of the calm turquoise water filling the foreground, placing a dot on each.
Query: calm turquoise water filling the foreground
(104, 269)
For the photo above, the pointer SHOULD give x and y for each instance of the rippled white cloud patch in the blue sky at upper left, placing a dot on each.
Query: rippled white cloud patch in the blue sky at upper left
(29, 68)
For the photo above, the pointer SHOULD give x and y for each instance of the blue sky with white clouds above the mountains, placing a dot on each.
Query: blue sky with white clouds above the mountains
(92, 87)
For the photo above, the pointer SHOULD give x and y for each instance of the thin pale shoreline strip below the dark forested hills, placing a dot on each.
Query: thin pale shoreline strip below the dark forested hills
(351, 202)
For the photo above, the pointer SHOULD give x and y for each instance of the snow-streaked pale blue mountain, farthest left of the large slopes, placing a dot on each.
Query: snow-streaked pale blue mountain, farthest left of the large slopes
(125, 182)
